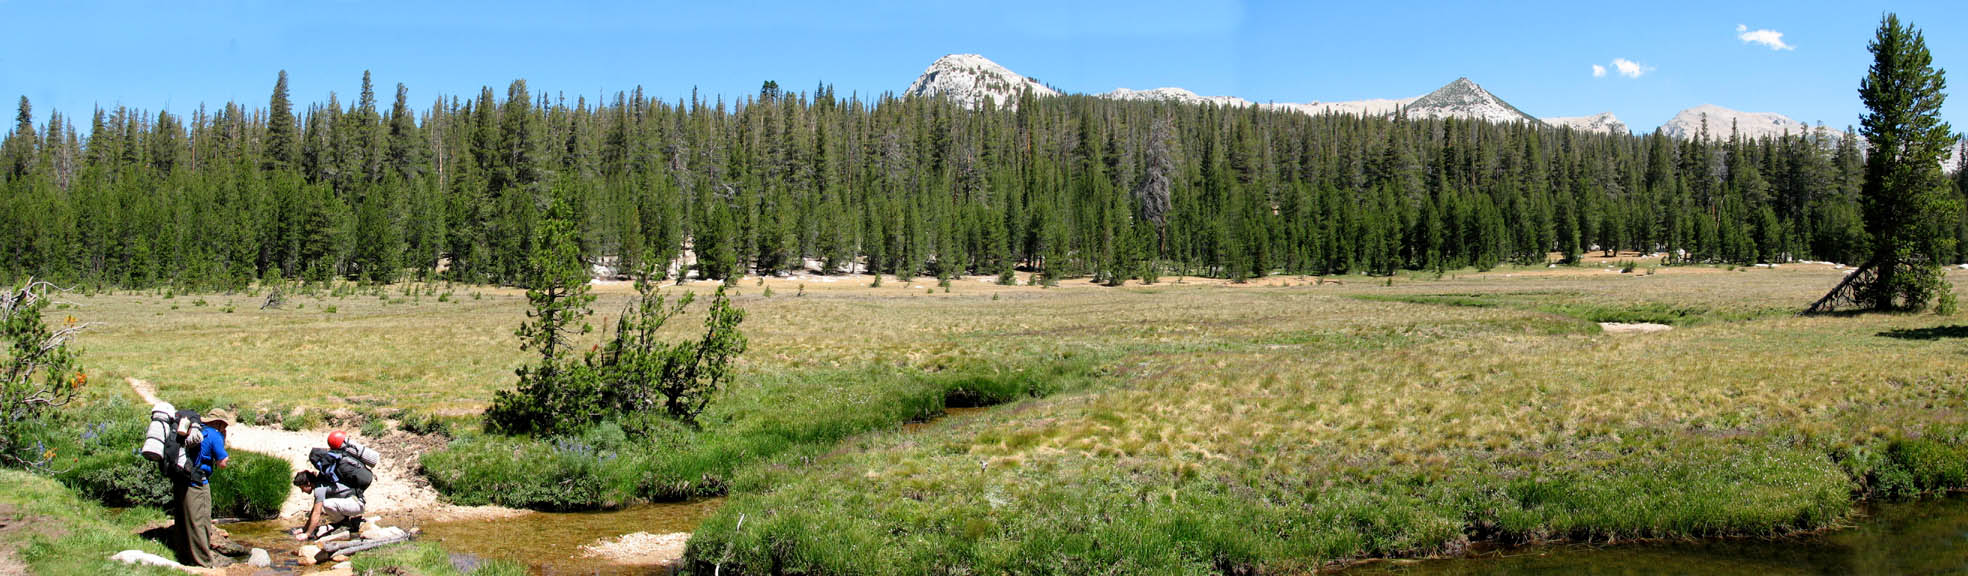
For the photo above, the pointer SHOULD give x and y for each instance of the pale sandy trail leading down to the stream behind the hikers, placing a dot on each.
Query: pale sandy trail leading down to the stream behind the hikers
(399, 489)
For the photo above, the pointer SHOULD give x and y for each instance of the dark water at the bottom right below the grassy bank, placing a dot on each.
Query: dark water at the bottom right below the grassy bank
(1926, 538)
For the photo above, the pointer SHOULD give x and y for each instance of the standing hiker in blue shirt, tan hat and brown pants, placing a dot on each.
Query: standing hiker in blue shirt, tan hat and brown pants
(192, 490)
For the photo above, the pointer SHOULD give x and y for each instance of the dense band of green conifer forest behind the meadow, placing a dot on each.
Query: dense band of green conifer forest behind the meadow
(782, 182)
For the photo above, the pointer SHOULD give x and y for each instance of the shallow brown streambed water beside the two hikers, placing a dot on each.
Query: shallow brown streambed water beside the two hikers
(548, 544)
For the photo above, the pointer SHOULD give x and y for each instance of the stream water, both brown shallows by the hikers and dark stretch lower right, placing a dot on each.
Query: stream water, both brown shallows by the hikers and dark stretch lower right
(1920, 538)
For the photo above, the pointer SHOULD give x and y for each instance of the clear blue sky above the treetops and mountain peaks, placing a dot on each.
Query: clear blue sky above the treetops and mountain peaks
(1540, 56)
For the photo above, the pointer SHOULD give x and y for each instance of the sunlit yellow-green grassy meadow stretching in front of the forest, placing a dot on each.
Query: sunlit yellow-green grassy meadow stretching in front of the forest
(1282, 426)
